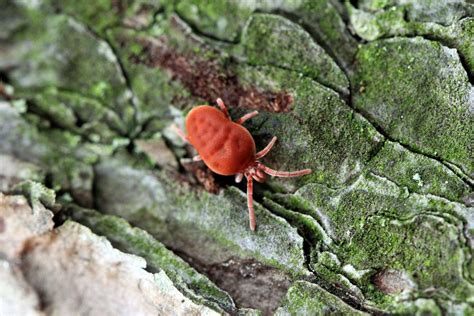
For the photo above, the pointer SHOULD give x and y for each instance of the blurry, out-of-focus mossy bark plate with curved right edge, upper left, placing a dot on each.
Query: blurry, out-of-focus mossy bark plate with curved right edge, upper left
(76, 61)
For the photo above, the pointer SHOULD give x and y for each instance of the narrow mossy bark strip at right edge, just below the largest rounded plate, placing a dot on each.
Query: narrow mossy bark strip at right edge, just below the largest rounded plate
(418, 173)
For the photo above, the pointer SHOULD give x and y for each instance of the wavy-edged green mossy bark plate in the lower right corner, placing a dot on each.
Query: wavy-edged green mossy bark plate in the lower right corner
(415, 246)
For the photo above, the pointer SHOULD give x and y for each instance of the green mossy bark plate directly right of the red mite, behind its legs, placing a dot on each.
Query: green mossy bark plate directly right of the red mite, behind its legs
(320, 132)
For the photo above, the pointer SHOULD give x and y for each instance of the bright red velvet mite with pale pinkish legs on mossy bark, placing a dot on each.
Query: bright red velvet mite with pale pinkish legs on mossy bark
(228, 148)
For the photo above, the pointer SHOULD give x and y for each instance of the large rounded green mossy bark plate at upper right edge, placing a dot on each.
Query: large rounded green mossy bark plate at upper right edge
(426, 105)
